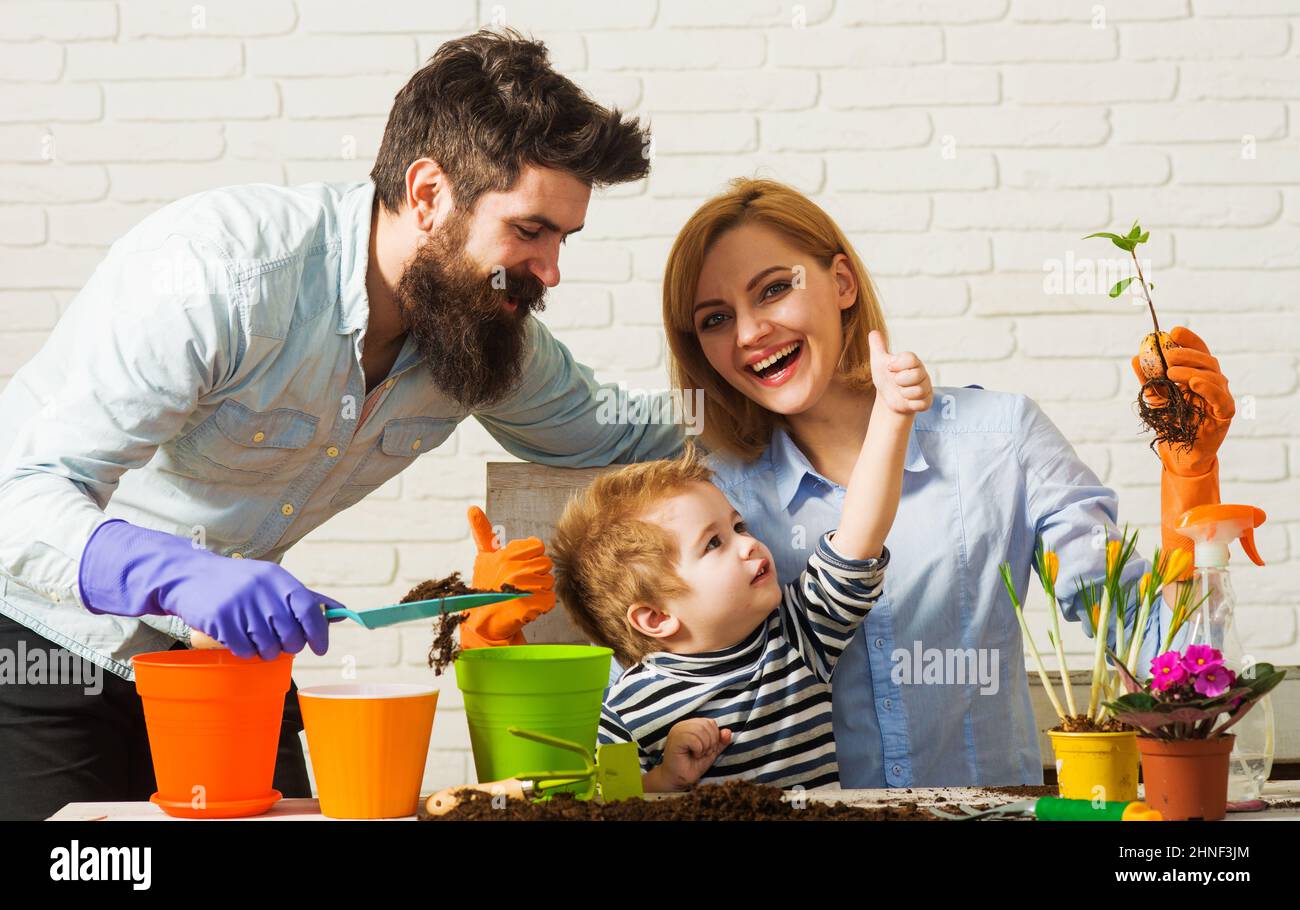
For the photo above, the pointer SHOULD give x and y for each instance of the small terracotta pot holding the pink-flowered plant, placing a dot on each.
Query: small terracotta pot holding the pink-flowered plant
(1186, 779)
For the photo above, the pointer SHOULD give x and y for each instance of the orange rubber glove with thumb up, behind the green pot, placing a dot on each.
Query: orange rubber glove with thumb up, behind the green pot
(522, 564)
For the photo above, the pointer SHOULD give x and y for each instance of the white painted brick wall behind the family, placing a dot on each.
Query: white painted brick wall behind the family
(964, 145)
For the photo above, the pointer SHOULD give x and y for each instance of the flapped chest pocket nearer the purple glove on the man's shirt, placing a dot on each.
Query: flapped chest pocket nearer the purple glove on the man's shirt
(246, 444)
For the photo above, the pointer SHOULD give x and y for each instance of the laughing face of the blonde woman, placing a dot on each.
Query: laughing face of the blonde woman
(764, 302)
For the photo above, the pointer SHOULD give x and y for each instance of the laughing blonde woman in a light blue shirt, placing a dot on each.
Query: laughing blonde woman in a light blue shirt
(769, 309)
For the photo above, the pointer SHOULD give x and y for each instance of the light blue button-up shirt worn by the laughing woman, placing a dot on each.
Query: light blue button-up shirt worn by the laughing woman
(986, 475)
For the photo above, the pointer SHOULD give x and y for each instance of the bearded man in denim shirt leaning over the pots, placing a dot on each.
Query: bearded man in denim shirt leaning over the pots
(252, 361)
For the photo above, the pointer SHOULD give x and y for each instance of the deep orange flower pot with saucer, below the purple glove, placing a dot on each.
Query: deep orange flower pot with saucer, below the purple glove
(214, 726)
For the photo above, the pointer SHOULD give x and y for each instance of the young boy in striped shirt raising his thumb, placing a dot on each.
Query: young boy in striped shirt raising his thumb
(729, 675)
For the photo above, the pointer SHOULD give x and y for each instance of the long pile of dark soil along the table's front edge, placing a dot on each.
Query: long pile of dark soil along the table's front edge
(730, 801)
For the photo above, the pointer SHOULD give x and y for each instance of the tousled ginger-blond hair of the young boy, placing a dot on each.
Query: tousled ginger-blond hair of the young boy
(608, 558)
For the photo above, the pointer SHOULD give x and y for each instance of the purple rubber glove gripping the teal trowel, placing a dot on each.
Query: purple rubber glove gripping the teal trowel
(252, 606)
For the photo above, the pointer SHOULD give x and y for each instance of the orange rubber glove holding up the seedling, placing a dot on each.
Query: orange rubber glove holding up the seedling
(1191, 478)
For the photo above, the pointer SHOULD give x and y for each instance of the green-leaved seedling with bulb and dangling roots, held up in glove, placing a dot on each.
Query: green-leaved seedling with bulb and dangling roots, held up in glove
(1173, 414)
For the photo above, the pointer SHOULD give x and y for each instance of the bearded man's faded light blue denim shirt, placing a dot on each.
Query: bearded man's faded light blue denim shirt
(207, 382)
